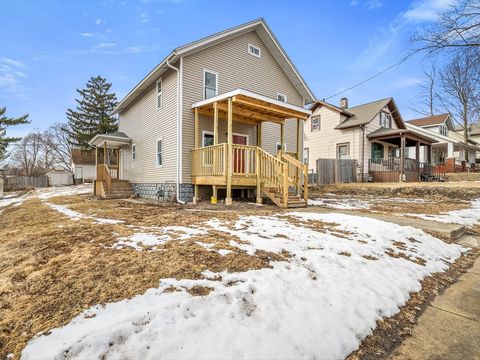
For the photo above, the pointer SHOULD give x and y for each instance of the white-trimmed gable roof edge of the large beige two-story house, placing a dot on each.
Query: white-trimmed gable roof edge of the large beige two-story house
(265, 34)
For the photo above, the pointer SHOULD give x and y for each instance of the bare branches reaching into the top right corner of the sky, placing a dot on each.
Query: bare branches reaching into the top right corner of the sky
(458, 27)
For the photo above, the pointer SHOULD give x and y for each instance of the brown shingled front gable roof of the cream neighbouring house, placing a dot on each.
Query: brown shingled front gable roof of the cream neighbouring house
(363, 114)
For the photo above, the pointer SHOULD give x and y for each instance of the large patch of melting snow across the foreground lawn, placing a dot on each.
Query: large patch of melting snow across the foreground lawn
(345, 273)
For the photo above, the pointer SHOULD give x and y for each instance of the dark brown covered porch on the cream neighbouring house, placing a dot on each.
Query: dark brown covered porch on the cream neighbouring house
(394, 164)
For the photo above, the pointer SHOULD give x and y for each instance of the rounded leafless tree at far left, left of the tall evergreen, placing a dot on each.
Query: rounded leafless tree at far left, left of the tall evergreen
(33, 155)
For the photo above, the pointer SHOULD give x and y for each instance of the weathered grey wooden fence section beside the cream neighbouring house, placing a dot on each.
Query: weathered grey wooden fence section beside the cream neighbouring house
(330, 171)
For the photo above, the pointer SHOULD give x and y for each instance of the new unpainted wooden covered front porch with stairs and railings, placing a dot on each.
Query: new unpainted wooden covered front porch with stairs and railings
(236, 164)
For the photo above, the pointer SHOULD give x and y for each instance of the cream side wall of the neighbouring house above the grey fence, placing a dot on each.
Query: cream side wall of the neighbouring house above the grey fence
(323, 143)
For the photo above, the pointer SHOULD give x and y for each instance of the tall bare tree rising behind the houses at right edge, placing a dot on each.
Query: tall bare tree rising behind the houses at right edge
(460, 88)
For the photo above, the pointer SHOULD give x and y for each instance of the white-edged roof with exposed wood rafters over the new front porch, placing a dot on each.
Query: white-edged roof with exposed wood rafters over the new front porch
(250, 107)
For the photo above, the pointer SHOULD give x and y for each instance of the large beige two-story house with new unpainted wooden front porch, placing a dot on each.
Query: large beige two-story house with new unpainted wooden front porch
(217, 117)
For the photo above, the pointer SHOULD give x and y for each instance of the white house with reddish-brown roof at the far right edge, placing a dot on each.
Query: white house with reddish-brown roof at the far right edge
(450, 149)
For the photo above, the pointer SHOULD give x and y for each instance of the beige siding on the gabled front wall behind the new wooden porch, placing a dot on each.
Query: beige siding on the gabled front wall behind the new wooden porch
(236, 68)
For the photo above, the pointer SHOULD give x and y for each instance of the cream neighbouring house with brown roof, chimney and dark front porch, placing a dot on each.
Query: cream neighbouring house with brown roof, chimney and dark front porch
(373, 133)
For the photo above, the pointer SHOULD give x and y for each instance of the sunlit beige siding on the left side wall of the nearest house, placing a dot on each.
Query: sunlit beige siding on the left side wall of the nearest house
(144, 124)
